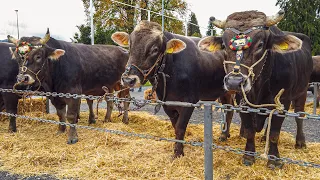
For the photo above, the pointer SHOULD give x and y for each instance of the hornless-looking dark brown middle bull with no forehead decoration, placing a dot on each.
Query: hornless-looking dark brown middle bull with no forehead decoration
(173, 64)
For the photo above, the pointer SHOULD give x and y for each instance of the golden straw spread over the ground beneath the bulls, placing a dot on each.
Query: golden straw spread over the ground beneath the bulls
(35, 149)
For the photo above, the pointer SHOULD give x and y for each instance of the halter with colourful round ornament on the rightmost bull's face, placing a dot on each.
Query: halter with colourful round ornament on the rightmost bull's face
(239, 43)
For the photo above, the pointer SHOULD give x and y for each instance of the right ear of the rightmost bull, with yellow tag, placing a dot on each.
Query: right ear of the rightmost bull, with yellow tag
(287, 43)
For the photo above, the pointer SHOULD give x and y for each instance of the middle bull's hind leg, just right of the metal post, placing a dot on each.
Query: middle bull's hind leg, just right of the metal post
(226, 99)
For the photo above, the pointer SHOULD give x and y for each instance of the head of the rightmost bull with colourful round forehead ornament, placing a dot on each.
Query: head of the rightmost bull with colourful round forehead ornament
(247, 40)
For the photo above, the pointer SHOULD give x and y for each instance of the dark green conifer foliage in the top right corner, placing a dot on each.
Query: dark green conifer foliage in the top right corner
(302, 16)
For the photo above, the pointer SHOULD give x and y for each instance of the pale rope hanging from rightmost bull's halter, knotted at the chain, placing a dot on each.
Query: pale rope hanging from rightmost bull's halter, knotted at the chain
(277, 106)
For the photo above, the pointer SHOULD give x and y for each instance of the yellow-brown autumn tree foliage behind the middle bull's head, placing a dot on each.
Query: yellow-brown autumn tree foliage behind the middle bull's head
(123, 18)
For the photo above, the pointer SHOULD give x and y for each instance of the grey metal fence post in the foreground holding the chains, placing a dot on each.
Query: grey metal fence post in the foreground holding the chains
(208, 139)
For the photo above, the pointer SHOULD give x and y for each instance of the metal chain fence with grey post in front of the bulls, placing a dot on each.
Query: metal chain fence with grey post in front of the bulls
(208, 144)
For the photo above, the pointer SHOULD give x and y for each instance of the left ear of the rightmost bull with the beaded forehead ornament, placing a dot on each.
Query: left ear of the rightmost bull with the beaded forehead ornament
(210, 43)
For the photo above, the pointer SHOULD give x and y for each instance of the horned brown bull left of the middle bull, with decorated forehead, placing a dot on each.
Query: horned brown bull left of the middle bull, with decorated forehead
(59, 66)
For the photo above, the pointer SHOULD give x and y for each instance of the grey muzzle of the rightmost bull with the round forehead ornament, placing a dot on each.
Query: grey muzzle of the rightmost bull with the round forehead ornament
(233, 82)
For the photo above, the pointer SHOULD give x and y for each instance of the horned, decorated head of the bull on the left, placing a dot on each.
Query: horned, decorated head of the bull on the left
(32, 54)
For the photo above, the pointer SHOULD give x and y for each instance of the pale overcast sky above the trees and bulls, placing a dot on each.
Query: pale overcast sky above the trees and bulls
(62, 16)
